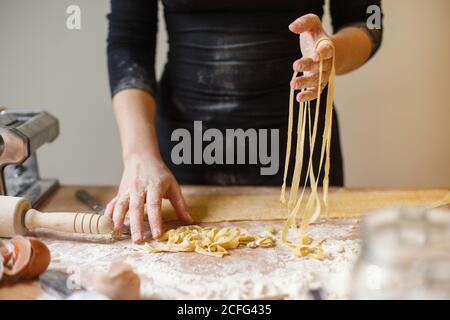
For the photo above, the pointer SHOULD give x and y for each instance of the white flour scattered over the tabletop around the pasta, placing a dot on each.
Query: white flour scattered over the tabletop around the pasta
(246, 274)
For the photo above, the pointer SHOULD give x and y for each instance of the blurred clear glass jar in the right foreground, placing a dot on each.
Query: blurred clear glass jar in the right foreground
(405, 255)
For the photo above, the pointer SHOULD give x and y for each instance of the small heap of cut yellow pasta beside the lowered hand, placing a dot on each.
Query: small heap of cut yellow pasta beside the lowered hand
(211, 241)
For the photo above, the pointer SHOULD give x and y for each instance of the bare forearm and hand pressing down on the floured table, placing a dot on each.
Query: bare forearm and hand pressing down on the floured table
(146, 180)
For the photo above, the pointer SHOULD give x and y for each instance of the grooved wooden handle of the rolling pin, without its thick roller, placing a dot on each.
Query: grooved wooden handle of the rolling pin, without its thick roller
(68, 222)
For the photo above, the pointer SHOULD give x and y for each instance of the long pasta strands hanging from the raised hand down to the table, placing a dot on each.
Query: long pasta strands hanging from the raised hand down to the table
(311, 204)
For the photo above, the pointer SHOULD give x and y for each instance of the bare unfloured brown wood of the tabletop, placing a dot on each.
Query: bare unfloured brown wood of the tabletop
(64, 200)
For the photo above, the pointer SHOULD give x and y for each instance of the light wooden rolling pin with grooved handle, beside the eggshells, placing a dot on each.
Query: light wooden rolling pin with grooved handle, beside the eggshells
(18, 218)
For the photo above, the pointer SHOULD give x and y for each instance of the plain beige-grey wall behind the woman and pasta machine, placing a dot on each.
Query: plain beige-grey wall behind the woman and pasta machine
(394, 112)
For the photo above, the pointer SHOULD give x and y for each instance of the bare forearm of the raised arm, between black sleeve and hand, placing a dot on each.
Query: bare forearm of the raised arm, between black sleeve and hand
(353, 47)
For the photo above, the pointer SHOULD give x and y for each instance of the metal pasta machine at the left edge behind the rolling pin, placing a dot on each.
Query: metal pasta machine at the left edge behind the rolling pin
(21, 134)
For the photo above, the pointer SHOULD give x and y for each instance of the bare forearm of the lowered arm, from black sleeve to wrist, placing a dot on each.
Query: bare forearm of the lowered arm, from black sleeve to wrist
(135, 115)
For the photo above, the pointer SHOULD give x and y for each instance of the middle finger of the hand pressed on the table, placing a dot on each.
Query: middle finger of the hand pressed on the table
(137, 205)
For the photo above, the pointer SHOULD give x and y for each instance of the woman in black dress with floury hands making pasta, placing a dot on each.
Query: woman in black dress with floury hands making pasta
(229, 66)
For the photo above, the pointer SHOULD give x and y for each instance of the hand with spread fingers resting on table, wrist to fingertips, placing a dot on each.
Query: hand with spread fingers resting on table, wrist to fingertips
(146, 180)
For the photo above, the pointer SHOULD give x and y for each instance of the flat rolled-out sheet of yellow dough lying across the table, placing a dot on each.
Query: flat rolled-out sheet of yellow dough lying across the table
(343, 203)
